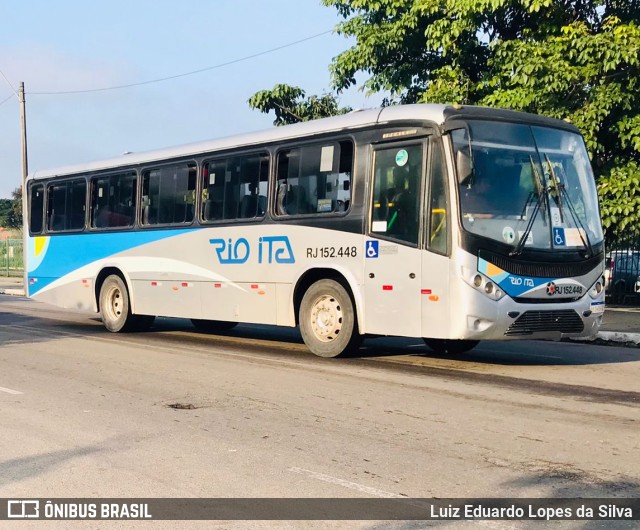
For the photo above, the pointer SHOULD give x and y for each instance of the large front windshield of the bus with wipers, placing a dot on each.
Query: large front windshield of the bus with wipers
(527, 186)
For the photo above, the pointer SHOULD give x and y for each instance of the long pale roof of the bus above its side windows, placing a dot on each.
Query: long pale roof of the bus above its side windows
(429, 112)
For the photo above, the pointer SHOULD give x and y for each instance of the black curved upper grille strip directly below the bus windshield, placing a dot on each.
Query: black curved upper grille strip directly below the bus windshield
(542, 270)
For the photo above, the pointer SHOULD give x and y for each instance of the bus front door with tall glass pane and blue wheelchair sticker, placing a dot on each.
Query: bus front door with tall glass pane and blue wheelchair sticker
(393, 261)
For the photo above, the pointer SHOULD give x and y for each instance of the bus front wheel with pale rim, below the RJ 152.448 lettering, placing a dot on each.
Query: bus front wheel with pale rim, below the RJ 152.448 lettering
(328, 320)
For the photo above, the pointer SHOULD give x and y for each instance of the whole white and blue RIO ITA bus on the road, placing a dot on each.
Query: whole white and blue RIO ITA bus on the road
(451, 223)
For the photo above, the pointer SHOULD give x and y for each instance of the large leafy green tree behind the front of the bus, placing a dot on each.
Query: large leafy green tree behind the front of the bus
(575, 60)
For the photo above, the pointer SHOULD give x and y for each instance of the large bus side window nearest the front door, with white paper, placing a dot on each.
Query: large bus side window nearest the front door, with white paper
(315, 179)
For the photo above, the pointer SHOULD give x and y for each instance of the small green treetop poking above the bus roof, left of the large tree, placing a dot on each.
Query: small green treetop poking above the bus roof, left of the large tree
(291, 105)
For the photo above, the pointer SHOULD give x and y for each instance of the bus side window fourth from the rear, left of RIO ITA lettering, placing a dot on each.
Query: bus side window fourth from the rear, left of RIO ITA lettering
(168, 194)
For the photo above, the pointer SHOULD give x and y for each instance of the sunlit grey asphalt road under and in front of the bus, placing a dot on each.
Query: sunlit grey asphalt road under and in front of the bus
(86, 413)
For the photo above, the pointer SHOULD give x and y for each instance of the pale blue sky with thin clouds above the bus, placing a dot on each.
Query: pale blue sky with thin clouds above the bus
(71, 45)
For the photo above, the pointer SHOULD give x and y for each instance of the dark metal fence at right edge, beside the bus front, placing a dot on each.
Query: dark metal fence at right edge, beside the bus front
(622, 269)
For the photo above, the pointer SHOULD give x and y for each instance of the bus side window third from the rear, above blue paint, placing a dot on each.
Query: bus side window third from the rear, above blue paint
(113, 200)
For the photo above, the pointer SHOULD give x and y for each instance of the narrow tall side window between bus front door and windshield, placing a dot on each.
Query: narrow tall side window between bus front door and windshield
(438, 212)
